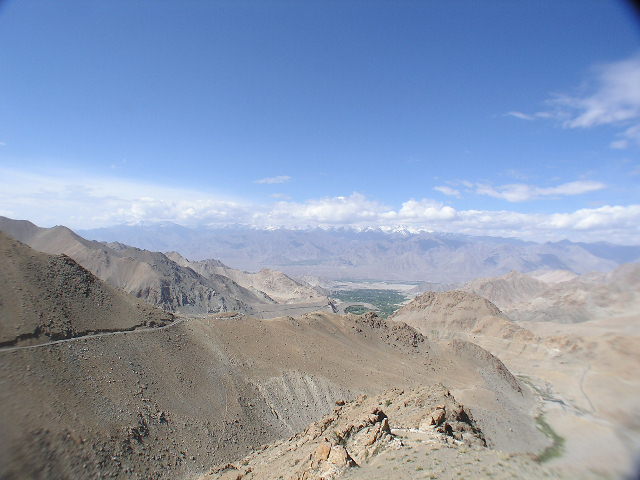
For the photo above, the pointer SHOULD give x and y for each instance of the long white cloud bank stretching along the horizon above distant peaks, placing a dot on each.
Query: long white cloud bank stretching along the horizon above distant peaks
(92, 202)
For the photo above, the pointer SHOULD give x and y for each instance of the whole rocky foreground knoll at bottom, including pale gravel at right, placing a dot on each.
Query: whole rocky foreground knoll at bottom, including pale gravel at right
(418, 433)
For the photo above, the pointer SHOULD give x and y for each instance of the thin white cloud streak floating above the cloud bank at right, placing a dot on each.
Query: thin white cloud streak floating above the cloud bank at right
(520, 192)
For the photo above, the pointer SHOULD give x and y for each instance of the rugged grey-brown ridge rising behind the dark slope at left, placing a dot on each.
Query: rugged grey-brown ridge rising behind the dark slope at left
(150, 276)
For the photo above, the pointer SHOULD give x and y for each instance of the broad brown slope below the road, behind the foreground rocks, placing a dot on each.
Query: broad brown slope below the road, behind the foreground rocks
(174, 402)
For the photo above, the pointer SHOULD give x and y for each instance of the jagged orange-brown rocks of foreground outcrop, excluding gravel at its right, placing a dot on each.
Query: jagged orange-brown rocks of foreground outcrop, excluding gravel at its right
(356, 433)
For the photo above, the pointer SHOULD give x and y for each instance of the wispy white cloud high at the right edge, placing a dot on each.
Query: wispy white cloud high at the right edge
(612, 99)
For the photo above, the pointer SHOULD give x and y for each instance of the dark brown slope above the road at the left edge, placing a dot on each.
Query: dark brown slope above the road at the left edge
(45, 297)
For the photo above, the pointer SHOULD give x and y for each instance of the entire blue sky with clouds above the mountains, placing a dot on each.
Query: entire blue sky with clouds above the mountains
(495, 118)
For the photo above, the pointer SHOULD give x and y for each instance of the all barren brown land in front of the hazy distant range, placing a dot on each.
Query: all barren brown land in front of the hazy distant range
(95, 382)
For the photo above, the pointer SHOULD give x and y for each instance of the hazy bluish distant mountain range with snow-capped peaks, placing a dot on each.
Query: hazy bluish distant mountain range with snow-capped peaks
(370, 253)
